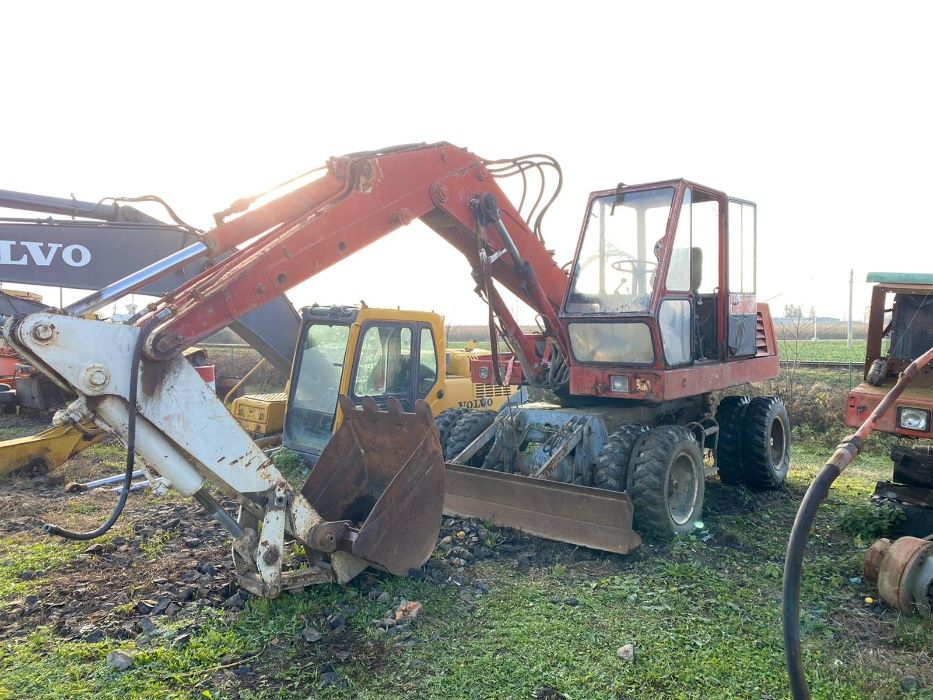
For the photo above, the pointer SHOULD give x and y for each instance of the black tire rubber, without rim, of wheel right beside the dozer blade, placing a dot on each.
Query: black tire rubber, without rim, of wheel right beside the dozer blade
(651, 464)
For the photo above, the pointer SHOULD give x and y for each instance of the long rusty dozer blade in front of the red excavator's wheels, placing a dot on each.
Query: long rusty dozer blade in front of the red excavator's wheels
(574, 514)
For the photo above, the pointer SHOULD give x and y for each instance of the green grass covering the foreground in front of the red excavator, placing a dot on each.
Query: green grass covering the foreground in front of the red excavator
(704, 617)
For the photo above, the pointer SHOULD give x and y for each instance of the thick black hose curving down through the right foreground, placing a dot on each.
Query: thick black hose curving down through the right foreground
(847, 451)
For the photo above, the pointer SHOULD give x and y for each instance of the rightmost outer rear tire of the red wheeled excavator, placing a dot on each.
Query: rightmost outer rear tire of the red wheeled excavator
(761, 470)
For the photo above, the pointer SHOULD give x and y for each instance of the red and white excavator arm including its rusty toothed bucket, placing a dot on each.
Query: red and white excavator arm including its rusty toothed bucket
(376, 494)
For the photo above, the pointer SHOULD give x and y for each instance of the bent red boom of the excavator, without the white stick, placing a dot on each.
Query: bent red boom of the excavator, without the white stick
(361, 198)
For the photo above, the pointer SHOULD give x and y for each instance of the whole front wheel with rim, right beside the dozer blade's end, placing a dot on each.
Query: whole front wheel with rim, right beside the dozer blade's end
(667, 482)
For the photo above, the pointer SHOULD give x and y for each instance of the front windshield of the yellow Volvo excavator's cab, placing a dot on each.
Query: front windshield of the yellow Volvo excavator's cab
(315, 385)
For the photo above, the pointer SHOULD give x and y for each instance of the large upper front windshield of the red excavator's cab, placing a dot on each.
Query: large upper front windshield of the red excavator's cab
(616, 267)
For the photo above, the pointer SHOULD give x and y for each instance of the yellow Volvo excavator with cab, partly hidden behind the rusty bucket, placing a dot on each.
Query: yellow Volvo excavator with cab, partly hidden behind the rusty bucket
(369, 352)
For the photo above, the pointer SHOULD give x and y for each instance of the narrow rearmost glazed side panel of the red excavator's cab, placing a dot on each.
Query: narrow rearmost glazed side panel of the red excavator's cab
(742, 311)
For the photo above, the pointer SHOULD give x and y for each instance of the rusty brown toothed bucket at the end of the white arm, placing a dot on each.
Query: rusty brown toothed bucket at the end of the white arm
(384, 472)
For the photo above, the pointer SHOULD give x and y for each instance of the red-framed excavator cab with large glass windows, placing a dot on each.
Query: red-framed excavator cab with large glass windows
(664, 277)
